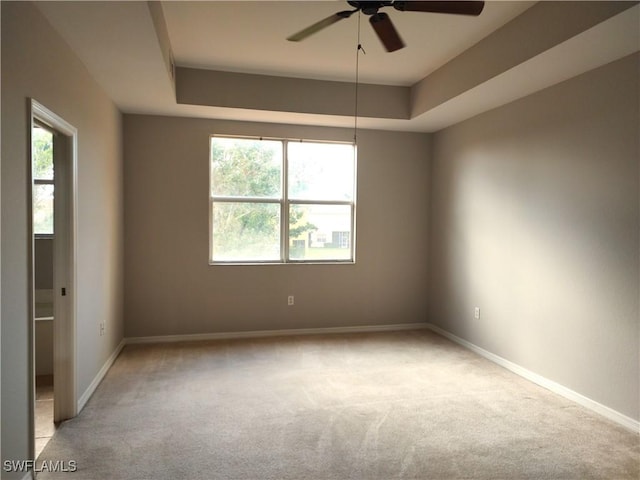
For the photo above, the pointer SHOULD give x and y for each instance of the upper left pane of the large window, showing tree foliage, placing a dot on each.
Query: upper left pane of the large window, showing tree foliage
(244, 167)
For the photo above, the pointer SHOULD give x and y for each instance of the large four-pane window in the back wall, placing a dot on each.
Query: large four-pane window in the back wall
(281, 201)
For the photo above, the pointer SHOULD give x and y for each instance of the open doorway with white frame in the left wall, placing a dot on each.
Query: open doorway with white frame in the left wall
(53, 159)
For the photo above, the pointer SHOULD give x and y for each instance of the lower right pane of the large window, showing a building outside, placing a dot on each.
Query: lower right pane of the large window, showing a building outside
(320, 232)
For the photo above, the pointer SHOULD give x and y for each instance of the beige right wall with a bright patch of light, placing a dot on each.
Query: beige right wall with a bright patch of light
(535, 219)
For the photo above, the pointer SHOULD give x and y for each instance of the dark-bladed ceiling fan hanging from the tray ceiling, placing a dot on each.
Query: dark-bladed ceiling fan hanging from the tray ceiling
(381, 22)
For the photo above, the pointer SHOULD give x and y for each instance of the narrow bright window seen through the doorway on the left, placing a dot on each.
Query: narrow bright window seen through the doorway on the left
(42, 157)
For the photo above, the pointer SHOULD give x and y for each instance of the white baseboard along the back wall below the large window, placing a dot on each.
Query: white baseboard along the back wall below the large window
(276, 333)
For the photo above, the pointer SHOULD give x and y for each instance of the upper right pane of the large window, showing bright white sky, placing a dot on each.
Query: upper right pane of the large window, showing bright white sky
(320, 171)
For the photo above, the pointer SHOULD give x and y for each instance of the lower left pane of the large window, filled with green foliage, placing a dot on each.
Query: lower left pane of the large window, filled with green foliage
(246, 231)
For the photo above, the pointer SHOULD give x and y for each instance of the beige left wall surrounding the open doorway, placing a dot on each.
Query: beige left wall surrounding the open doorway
(37, 63)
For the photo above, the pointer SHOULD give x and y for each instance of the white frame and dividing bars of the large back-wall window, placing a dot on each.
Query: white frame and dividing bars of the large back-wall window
(285, 204)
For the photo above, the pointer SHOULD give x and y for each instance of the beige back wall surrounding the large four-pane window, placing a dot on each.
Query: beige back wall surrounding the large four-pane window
(171, 289)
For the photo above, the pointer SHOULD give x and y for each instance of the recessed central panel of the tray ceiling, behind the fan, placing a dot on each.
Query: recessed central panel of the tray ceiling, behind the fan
(250, 37)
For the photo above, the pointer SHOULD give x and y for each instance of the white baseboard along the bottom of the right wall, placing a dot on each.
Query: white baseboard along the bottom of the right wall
(557, 388)
